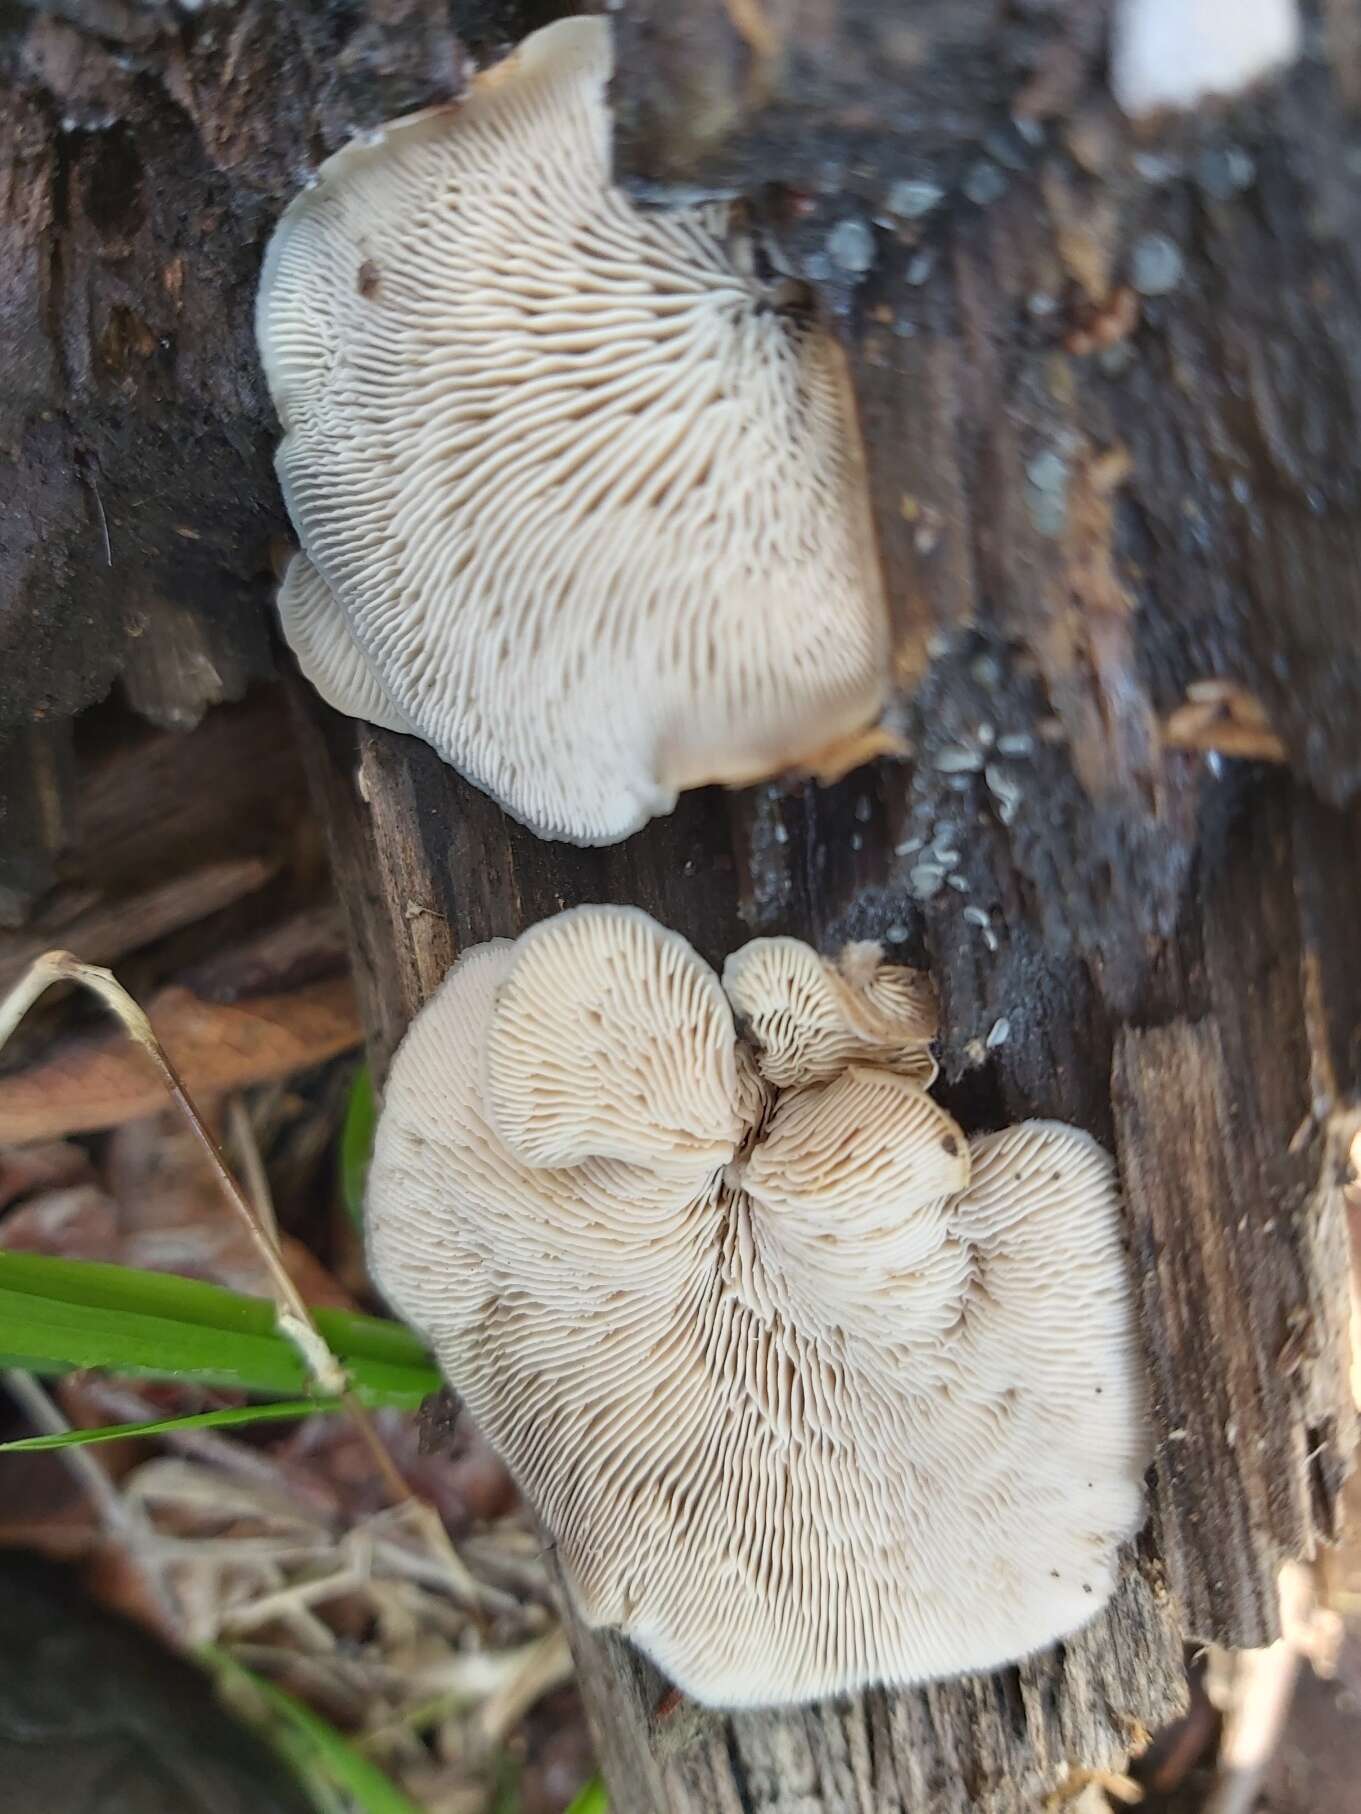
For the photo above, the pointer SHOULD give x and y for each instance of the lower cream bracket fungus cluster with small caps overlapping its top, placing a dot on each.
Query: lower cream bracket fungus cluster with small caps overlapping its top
(812, 1390)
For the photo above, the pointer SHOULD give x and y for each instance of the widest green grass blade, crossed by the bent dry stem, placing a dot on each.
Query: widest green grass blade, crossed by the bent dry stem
(63, 1314)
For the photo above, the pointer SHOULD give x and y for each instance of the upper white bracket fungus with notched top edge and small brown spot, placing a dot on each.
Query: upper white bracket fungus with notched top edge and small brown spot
(578, 494)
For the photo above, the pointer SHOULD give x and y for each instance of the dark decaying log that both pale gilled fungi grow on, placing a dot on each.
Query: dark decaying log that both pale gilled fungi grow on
(1110, 400)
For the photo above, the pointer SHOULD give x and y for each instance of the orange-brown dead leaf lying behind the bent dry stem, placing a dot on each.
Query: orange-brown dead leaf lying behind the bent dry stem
(101, 1082)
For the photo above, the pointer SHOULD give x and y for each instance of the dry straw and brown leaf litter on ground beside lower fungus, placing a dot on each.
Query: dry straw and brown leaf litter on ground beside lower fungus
(279, 1546)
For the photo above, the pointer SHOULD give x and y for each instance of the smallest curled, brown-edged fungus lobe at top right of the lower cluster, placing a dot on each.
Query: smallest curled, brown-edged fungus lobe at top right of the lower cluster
(810, 1019)
